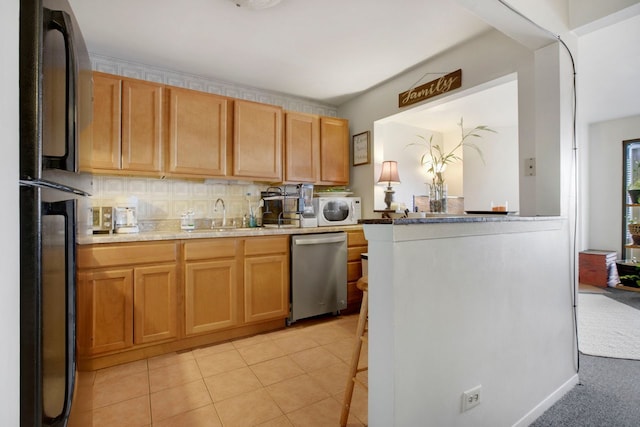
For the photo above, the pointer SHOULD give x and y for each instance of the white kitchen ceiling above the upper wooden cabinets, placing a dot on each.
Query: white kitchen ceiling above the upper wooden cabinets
(325, 50)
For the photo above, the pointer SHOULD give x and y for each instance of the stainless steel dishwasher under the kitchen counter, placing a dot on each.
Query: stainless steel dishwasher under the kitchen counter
(318, 274)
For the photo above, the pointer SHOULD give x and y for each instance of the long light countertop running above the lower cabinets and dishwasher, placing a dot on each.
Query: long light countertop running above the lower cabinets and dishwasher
(147, 236)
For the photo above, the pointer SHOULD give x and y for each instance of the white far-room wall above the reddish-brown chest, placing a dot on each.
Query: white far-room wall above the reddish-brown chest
(602, 196)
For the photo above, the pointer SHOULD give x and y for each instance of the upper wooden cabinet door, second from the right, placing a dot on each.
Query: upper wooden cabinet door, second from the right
(302, 147)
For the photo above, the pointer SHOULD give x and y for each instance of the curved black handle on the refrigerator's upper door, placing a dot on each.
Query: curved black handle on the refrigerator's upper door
(58, 20)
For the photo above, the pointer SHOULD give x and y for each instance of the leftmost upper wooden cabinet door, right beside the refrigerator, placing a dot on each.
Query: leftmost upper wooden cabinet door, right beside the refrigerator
(106, 126)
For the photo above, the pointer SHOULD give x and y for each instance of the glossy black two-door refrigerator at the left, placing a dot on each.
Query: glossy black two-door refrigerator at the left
(55, 118)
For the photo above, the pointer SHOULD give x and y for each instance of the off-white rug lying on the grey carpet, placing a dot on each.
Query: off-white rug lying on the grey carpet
(608, 328)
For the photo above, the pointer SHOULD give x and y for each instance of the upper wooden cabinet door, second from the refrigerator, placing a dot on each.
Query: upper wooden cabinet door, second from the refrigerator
(141, 126)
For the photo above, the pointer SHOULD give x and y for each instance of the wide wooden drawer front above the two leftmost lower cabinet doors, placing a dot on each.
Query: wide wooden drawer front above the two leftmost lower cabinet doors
(127, 254)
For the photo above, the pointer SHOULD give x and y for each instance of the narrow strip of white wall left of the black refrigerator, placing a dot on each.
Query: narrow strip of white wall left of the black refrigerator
(10, 260)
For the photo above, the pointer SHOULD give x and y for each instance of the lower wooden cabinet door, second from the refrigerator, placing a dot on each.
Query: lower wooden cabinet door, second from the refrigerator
(154, 303)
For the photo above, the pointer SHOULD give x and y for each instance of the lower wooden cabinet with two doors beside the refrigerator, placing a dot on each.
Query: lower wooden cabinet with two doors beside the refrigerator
(126, 295)
